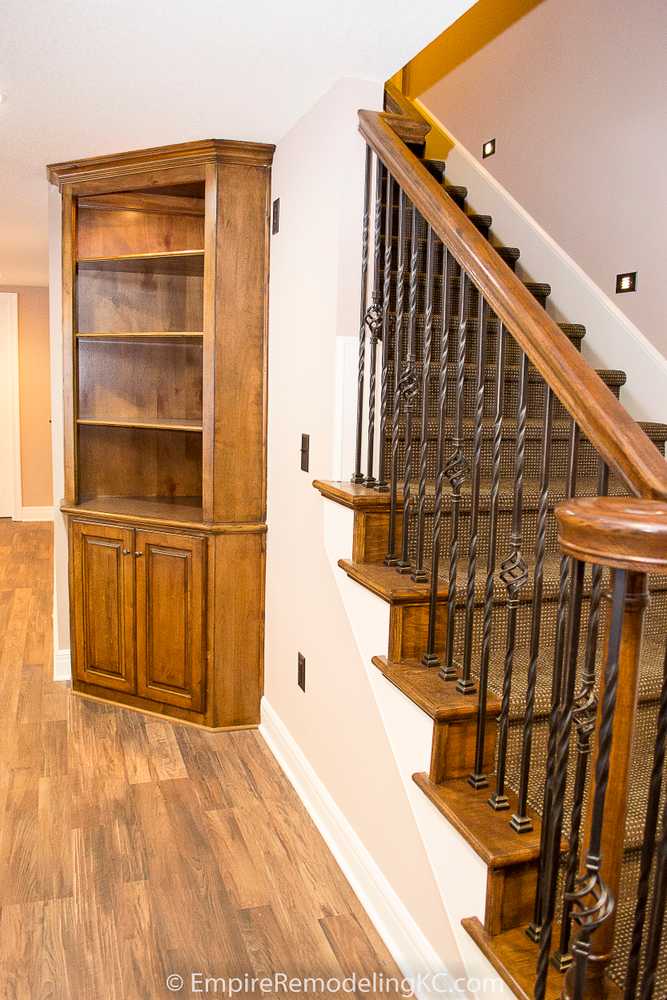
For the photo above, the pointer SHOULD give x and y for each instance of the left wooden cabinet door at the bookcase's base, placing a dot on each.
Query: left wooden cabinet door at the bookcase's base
(103, 605)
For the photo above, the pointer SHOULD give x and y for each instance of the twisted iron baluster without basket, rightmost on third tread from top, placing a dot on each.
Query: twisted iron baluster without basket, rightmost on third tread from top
(465, 683)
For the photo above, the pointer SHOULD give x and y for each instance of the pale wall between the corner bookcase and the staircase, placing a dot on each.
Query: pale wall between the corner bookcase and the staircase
(318, 174)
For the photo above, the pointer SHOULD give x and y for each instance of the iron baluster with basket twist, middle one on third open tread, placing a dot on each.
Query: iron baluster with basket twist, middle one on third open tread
(455, 470)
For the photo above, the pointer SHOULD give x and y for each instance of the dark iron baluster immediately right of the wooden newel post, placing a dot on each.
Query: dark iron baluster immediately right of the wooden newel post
(648, 847)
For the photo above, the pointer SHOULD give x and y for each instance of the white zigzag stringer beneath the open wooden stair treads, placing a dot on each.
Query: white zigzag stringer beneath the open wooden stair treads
(459, 872)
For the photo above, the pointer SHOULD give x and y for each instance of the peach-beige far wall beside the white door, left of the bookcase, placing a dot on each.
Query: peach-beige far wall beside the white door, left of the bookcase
(34, 394)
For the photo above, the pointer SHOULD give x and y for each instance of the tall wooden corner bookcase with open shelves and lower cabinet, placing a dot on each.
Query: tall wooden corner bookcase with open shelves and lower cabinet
(165, 276)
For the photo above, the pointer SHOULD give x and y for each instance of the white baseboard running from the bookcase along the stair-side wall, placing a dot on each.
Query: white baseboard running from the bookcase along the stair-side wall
(413, 953)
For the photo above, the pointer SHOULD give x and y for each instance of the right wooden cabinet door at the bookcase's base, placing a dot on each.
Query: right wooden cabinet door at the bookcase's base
(170, 576)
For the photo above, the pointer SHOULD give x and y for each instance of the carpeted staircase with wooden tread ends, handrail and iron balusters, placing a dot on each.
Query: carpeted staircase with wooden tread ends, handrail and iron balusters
(466, 446)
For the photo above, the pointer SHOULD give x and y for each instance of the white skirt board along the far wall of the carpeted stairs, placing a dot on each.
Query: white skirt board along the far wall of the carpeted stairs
(612, 340)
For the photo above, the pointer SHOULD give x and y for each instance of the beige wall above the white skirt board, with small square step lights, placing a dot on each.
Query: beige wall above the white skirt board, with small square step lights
(575, 96)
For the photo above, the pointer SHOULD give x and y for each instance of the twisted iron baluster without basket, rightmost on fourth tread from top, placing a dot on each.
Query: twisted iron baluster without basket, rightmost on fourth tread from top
(520, 821)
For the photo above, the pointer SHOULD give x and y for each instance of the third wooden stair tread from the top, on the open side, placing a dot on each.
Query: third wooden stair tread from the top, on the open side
(437, 698)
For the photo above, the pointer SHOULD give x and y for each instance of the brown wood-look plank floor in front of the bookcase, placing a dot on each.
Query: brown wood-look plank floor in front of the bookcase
(133, 849)
